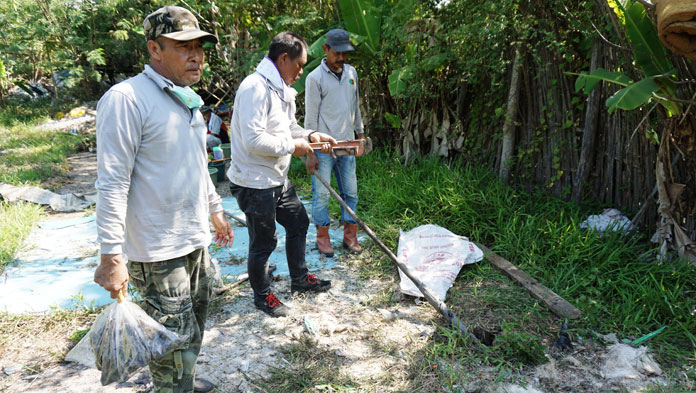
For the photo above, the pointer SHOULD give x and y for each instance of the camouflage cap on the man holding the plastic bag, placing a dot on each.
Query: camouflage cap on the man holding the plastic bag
(176, 23)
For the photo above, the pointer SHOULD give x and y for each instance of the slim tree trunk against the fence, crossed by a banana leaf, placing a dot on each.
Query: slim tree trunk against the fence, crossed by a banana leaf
(590, 130)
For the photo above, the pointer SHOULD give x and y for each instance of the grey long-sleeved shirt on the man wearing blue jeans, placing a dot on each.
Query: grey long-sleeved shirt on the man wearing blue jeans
(332, 106)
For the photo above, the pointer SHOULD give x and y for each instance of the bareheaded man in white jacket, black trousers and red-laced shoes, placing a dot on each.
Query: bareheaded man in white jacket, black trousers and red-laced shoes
(264, 134)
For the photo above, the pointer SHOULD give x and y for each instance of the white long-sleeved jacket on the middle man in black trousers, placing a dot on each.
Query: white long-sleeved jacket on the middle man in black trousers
(262, 129)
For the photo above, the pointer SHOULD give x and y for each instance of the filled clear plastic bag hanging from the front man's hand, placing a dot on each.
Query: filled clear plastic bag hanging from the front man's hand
(124, 338)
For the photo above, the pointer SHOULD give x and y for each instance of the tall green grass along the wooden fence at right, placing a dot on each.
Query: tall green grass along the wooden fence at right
(614, 279)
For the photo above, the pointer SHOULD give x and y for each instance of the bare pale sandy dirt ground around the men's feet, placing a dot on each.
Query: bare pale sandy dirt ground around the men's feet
(374, 348)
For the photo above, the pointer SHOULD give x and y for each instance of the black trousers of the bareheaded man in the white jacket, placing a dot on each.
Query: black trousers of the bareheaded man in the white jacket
(262, 209)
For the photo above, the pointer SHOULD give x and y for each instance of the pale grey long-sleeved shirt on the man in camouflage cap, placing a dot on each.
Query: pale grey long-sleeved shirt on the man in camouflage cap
(155, 194)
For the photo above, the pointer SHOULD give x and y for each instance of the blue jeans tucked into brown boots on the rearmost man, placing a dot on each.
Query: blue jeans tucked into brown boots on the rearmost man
(343, 167)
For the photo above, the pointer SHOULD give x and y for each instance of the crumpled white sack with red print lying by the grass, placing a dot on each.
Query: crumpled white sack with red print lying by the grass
(434, 256)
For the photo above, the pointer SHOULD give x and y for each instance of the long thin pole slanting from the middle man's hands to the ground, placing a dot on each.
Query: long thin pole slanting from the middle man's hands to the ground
(439, 305)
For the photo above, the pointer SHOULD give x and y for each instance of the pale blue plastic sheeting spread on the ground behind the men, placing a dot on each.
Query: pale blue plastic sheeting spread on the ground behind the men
(57, 266)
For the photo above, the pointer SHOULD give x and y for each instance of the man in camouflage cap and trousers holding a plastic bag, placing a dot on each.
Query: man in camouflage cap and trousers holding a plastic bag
(155, 194)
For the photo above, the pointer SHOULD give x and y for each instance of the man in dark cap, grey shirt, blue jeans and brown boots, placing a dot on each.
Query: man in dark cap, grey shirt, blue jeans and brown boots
(332, 106)
